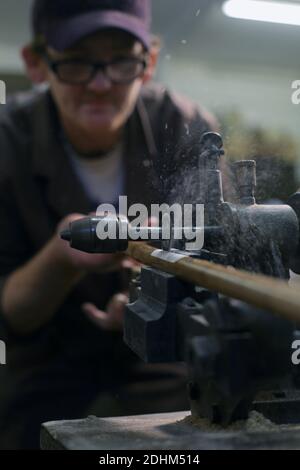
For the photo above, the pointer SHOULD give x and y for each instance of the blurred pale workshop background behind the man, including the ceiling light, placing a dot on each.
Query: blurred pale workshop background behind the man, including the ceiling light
(241, 69)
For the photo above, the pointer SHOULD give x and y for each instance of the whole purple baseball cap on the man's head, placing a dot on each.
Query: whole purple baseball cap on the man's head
(65, 22)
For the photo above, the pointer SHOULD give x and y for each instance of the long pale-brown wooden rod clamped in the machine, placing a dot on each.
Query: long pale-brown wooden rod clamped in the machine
(263, 292)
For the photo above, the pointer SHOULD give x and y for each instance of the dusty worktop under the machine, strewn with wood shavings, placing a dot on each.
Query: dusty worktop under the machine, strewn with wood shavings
(166, 432)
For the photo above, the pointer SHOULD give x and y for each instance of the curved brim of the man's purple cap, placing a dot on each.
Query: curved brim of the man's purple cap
(63, 34)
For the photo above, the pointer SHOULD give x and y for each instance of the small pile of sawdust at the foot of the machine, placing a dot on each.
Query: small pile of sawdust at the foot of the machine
(255, 423)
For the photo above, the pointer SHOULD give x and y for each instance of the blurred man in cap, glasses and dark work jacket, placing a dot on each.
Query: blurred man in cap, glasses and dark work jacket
(96, 132)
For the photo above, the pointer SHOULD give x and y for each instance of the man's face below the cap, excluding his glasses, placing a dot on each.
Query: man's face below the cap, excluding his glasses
(100, 105)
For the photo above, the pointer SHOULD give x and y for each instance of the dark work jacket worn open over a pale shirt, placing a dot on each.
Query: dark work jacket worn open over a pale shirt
(38, 187)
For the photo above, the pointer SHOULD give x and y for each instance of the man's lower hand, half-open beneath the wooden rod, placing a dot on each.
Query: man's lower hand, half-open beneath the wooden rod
(113, 319)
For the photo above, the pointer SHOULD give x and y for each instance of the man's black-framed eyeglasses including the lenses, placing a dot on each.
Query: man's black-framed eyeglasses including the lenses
(81, 72)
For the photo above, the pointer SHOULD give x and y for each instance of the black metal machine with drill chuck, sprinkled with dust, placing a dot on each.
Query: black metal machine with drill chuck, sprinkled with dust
(238, 357)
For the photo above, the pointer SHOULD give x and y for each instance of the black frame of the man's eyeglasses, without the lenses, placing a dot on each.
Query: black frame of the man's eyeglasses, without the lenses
(95, 67)
